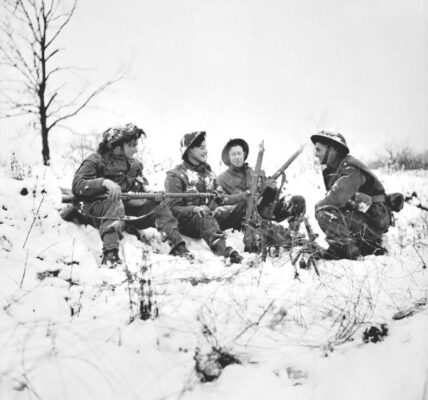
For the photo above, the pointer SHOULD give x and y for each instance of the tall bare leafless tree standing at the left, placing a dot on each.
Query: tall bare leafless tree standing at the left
(29, 48)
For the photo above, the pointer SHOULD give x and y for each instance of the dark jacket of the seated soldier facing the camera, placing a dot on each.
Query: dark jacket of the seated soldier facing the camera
(237, 180)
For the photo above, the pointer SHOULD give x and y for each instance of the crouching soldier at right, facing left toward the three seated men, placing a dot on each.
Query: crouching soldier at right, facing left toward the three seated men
(355, 212)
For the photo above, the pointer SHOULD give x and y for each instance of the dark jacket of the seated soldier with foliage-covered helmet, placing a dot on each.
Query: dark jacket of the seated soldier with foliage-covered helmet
(126, 172)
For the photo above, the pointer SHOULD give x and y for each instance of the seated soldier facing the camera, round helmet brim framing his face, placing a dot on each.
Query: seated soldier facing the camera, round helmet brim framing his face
(238, 178)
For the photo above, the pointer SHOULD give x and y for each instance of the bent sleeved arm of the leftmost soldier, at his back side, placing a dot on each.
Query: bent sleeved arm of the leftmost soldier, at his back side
(85, 181)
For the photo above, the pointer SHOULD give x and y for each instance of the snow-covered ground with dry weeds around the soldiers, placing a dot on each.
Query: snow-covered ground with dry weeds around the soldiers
(72, 330)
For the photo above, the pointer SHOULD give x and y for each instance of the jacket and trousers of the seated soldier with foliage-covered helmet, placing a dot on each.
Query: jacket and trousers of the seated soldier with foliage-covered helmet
(107, 215)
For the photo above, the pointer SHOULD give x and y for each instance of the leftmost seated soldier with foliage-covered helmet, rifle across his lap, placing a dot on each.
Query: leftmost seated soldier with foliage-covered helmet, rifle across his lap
(113, 170)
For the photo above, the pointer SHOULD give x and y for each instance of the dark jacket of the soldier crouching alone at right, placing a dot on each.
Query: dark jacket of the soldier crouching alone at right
(347, 178)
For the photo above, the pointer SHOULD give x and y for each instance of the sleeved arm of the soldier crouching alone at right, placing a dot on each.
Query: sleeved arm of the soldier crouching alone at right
(344, 189)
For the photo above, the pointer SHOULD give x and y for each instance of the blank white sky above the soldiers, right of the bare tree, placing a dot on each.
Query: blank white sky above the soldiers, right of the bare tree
(272, 69)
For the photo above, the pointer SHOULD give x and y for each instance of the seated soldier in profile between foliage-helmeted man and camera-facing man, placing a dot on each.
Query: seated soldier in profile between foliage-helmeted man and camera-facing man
(196, 219)
